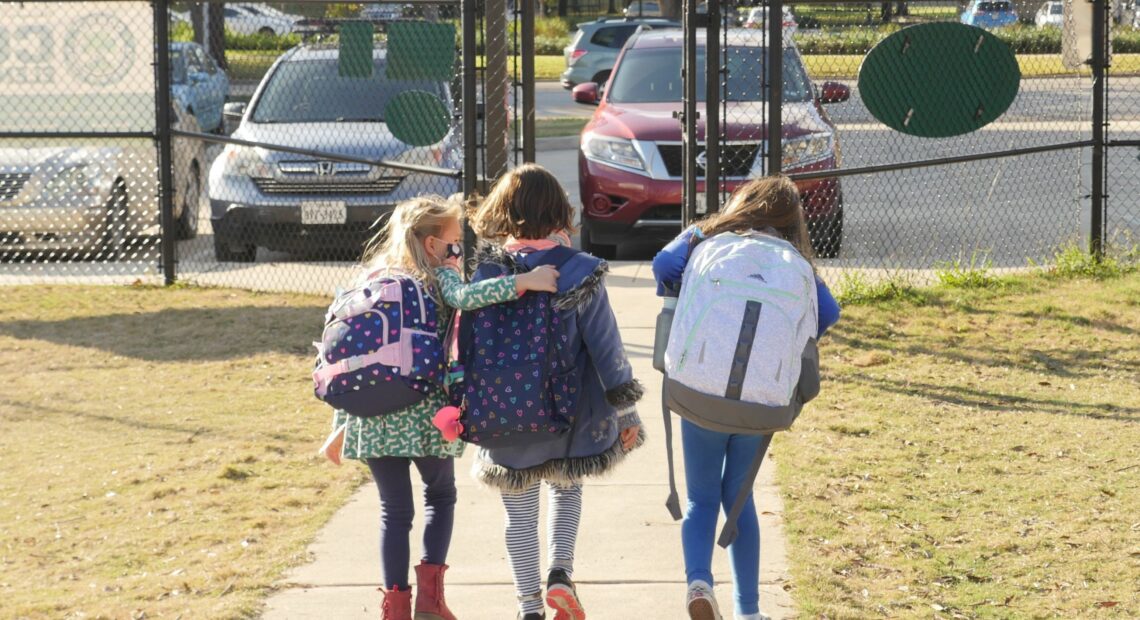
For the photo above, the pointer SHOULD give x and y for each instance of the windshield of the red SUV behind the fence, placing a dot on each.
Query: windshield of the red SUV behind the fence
(653, 76)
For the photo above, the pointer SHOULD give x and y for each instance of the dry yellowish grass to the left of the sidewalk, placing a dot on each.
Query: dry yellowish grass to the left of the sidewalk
(159, 451)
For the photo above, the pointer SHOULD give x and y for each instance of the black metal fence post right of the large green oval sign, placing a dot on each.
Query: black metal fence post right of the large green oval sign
(1101, 38)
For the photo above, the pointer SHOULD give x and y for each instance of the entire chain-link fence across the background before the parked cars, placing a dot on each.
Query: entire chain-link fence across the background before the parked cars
(294, 128)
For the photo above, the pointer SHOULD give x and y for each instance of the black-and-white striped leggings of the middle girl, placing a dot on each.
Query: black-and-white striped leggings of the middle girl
(523, 539)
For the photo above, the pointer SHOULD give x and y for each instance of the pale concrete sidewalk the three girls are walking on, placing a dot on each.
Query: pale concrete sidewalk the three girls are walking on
(629, 562)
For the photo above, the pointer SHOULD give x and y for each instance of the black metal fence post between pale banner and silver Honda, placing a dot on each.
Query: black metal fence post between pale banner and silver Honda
(164, 138)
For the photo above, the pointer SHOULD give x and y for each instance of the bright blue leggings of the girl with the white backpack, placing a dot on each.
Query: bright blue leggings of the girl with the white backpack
(715, 468)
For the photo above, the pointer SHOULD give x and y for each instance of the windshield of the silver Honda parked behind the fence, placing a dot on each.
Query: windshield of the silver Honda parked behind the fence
(313, 92)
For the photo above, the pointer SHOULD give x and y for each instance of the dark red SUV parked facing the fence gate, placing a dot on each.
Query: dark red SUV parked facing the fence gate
(630, 165)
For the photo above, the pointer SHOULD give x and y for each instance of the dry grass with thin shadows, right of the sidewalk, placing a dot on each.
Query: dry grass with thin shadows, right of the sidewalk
(975, 454)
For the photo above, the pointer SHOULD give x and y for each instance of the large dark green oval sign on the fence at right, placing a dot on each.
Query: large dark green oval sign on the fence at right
(939, 80)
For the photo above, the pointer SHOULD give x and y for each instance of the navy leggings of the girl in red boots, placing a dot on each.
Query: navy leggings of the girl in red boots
(394, 480)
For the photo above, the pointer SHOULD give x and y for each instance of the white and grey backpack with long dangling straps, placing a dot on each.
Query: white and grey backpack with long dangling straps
(742, 355)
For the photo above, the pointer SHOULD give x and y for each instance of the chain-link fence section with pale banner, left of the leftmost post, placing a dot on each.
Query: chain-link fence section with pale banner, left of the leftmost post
(79, 190)
